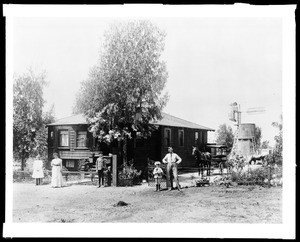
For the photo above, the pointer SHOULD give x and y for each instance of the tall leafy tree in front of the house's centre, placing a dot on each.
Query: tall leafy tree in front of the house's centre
(124, 91)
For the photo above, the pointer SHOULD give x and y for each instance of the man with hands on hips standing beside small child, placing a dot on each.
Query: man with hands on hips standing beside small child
(172, 160)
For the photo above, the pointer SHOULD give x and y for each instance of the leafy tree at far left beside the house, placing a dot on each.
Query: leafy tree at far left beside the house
(28, 118)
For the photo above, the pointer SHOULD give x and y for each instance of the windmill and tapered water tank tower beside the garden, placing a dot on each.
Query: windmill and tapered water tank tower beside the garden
(244, 137)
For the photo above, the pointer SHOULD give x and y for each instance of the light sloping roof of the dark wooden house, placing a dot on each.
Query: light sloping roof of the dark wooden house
(167, 120)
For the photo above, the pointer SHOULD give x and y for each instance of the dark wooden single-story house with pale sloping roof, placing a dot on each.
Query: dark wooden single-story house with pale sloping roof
(70, 138)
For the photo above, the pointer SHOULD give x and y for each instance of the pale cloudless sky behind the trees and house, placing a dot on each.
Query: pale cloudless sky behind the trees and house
(211, 62)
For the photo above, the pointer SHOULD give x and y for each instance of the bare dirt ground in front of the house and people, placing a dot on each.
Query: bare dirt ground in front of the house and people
(88, 203)
